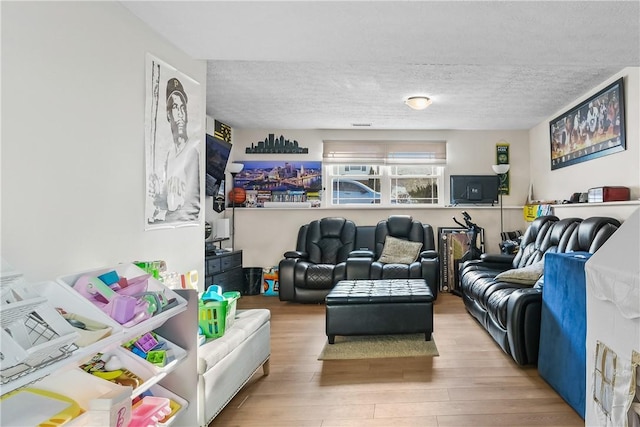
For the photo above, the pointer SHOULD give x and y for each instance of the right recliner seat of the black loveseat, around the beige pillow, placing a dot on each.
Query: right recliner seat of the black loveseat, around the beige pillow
(364, 264)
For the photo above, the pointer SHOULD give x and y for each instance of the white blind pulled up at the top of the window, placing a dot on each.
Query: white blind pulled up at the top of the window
(385, 152)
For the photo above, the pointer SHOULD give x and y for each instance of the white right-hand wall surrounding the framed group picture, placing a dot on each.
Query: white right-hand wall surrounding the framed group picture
(621, 168)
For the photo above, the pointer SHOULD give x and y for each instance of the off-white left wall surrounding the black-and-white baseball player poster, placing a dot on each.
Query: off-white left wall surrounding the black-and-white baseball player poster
(73, 174)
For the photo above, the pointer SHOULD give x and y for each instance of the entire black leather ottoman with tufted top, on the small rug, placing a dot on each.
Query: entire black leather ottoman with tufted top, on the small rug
(379, 307)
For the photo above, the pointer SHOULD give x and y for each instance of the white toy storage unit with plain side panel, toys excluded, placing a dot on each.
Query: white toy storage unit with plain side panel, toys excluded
(100, 399)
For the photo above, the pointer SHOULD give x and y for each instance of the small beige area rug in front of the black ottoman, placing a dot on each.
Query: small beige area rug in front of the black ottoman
(378, 347)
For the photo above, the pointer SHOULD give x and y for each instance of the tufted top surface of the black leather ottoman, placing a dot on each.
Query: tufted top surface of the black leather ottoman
(379, 291)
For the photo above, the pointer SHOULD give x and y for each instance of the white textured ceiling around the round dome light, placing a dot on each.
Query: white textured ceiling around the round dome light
(329, 65)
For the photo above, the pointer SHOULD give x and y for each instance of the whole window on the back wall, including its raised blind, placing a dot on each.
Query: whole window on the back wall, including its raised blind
(371, 172)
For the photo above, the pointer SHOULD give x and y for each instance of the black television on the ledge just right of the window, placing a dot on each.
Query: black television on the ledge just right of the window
(474, 189)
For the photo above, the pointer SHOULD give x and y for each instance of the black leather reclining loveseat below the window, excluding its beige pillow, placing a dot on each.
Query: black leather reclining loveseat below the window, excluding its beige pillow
(332, 249)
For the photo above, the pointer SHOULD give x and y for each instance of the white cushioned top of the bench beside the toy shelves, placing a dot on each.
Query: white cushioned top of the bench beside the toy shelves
(245, 324)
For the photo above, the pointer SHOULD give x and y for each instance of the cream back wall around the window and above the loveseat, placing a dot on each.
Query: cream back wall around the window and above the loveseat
(265, 234)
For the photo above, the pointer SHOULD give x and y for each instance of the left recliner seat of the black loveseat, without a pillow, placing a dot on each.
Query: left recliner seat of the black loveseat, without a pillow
(319, 261)
